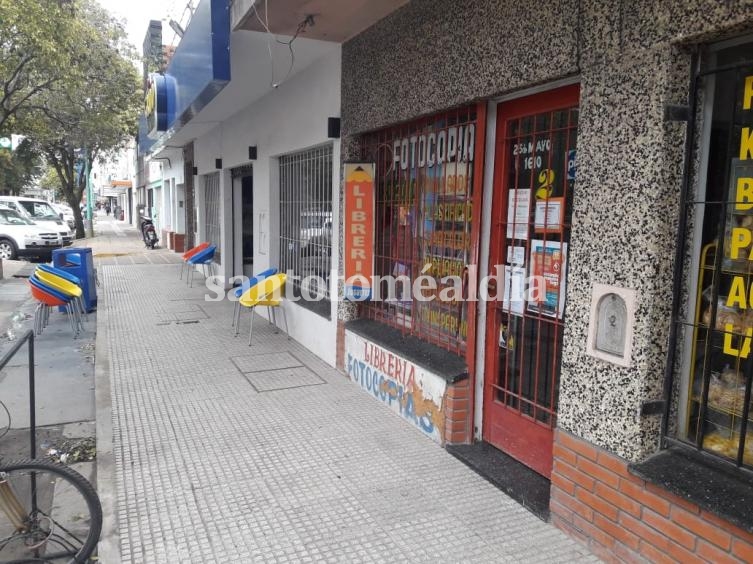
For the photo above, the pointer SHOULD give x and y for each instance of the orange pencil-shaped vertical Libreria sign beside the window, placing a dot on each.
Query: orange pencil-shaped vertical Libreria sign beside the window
(359, 230)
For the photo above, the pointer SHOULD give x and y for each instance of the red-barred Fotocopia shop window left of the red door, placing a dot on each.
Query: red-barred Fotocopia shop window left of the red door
(426, 202)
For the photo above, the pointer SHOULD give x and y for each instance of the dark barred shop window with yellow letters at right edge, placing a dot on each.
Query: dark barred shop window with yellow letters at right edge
(707, 392)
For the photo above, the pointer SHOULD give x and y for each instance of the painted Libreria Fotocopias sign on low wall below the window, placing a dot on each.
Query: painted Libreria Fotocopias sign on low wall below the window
(407, 389)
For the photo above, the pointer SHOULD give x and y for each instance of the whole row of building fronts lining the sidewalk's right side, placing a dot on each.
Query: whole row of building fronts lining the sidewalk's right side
(574, 189)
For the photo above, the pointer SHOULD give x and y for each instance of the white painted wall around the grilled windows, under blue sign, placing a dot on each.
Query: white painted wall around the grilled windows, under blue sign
(291, 118)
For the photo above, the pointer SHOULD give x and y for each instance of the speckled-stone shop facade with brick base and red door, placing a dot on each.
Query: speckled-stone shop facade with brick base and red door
(598, 163)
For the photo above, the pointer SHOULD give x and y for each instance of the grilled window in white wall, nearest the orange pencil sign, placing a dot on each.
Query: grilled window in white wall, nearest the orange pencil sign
(306, 224)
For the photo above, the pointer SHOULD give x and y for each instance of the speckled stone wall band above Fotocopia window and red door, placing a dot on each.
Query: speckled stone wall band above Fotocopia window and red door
(434, 54)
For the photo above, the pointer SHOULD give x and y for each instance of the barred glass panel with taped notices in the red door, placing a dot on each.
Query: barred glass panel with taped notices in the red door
(534, 229)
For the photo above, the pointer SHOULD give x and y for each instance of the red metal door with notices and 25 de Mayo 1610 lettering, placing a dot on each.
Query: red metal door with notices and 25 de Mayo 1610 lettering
(533, 187)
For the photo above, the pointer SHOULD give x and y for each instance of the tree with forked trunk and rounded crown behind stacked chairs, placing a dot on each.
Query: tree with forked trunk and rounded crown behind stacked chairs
(94, 110)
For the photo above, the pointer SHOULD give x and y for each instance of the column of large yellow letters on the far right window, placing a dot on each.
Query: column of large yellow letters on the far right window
(740, 236)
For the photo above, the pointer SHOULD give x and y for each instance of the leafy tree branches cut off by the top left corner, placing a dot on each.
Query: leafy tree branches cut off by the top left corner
(36, 39)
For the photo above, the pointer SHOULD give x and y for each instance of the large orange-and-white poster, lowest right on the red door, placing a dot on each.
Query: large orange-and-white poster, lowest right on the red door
(548, 269)
